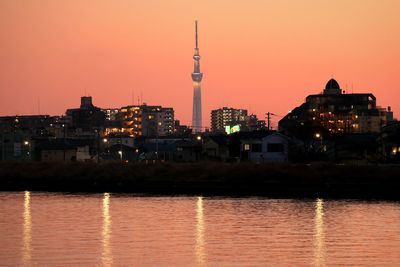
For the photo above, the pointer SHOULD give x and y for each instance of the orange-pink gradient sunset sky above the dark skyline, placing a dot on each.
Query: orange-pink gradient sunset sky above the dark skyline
(262, 55)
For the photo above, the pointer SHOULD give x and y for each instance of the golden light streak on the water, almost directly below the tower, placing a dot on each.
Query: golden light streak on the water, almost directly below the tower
(200, 249)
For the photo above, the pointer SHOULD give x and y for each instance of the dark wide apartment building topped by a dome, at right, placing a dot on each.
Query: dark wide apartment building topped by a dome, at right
(335, 112)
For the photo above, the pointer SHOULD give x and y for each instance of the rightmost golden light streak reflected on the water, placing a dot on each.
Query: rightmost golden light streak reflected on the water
(319, 235)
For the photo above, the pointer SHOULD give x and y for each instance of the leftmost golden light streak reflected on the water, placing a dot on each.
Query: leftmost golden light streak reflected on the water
(26, 253)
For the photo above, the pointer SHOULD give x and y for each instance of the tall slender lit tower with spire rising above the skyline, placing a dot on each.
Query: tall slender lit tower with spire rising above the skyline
(196, 77)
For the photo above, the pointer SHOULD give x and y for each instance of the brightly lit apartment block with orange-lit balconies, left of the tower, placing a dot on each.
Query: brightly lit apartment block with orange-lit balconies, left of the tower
(146, 120)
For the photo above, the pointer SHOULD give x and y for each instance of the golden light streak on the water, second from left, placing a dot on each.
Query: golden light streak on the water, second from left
(106, 256)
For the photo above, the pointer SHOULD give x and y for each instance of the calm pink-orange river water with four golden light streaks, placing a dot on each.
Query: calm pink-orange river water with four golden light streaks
(45, 229)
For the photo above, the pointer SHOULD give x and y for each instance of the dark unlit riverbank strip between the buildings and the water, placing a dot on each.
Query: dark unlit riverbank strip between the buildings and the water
(244, 179)
